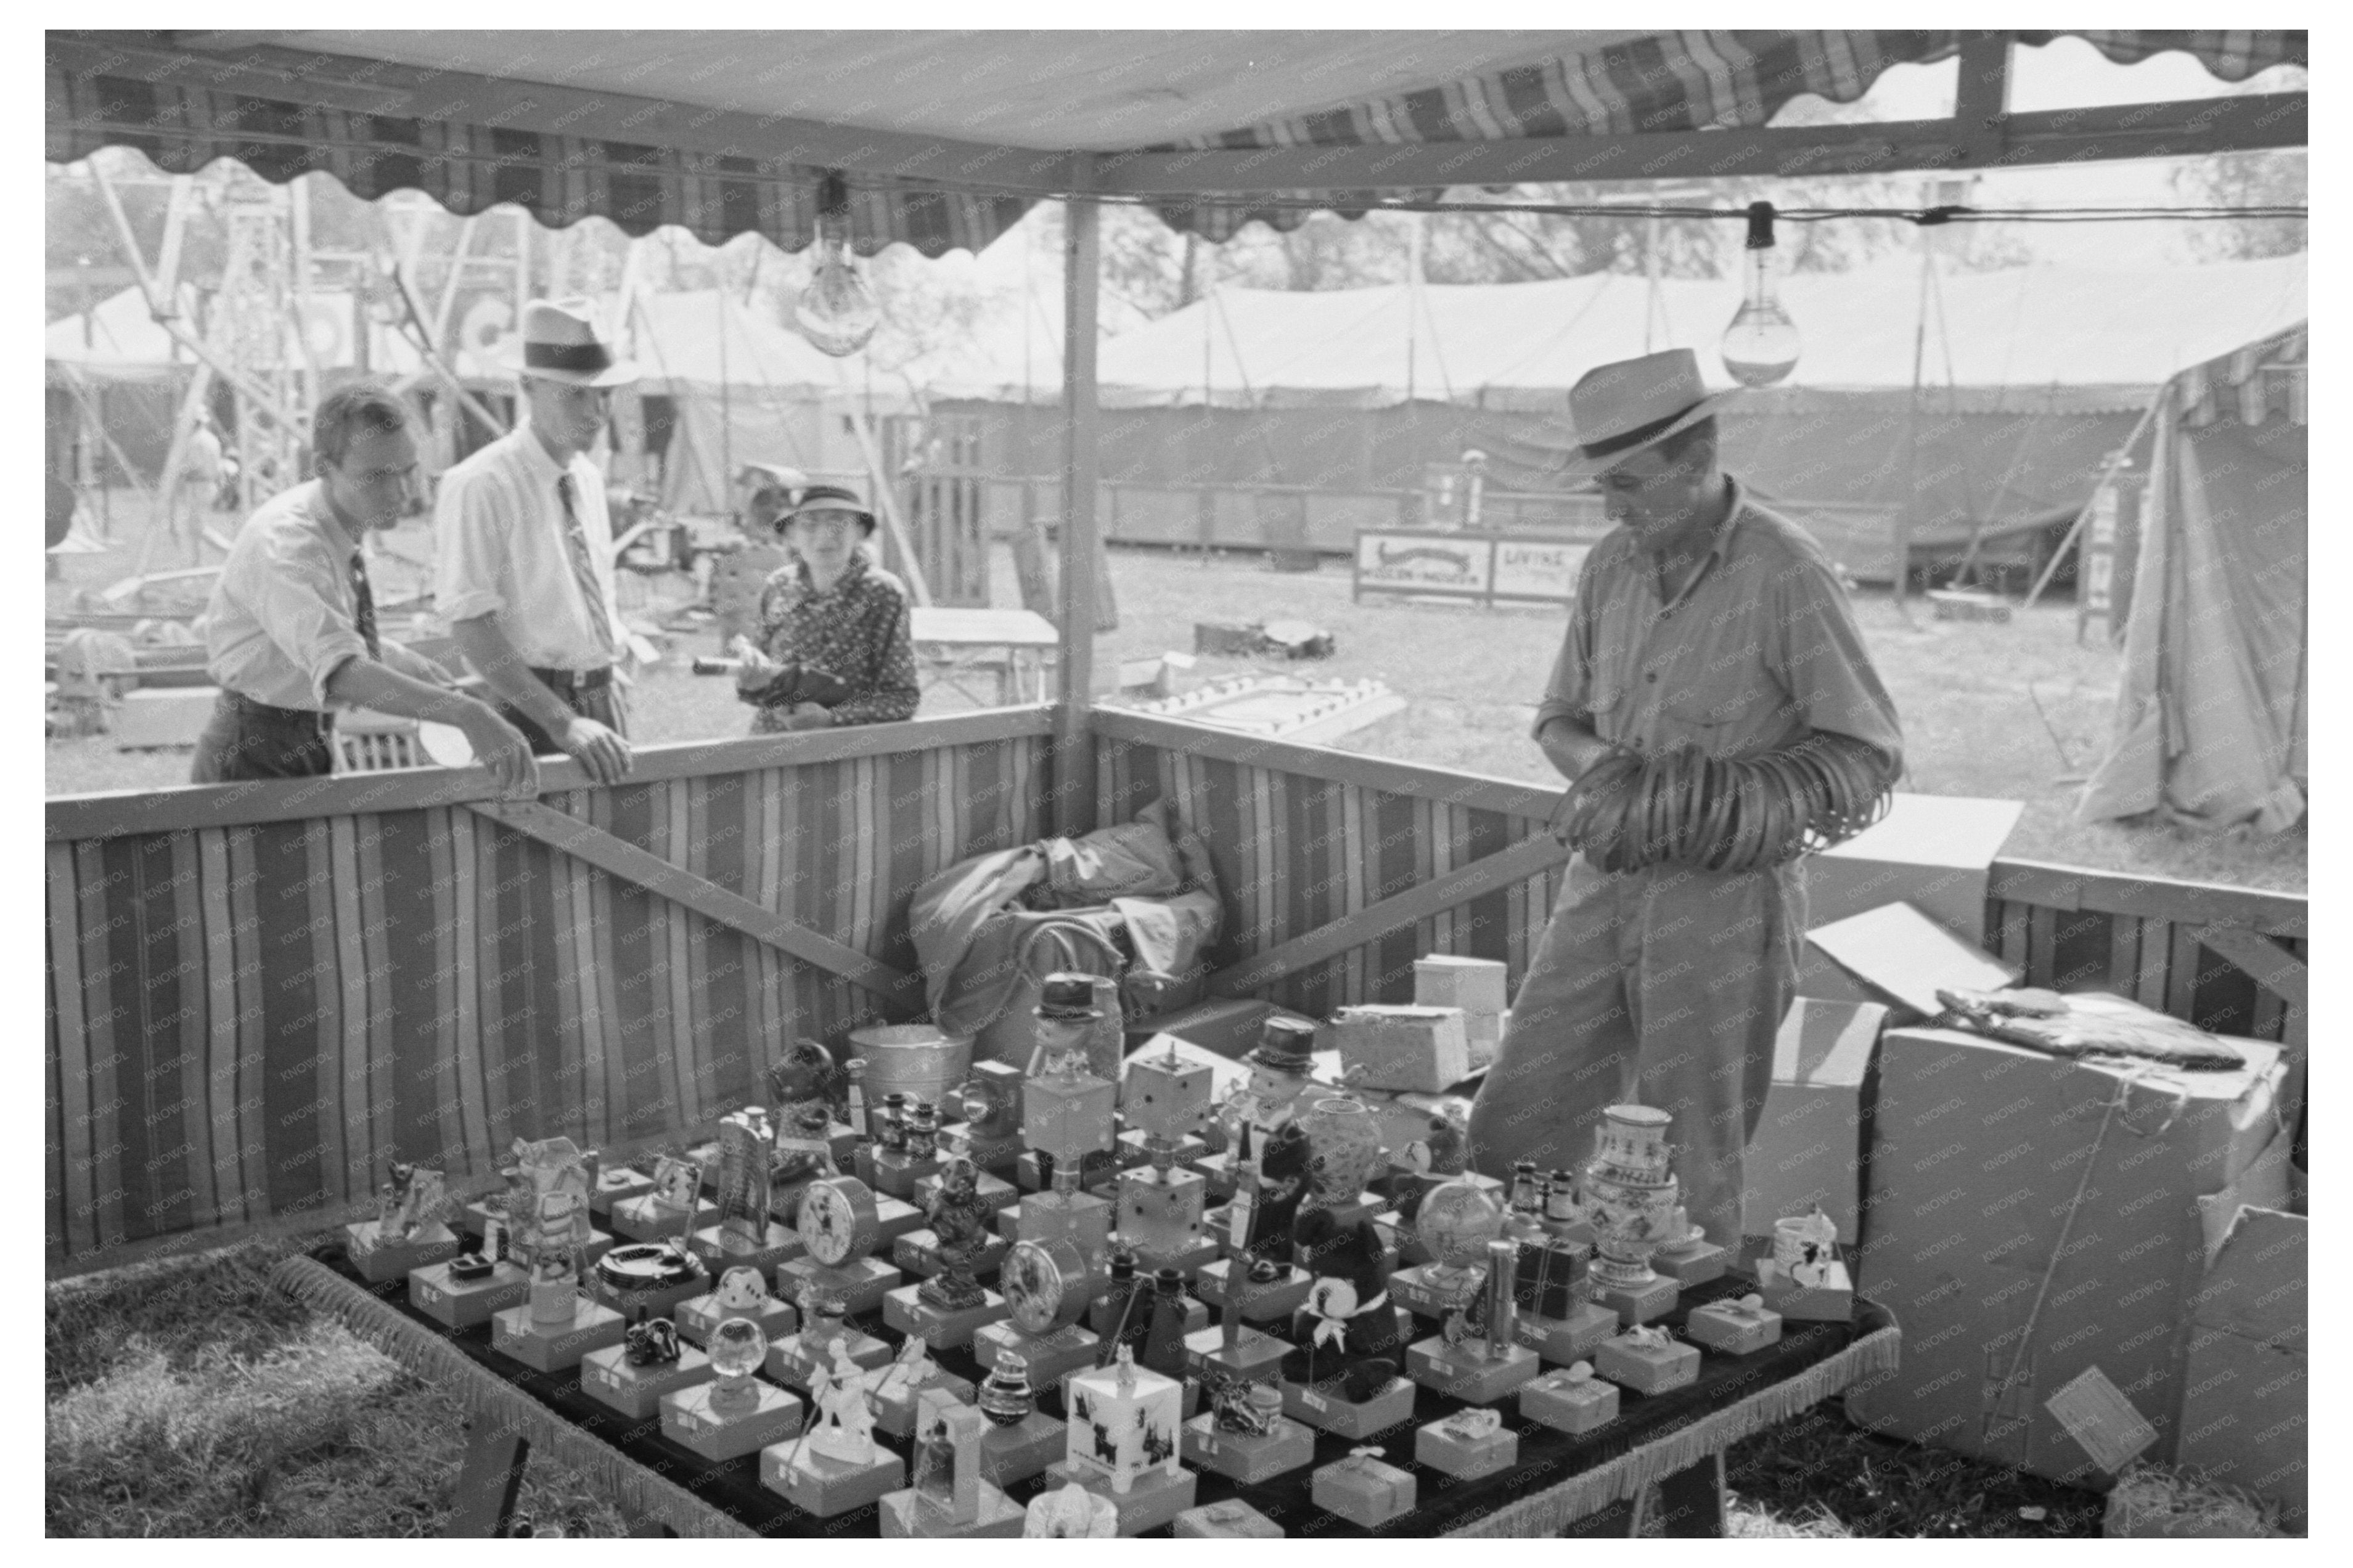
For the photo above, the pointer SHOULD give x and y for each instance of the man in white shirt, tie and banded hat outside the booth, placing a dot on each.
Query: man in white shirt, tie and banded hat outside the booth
(526, 547)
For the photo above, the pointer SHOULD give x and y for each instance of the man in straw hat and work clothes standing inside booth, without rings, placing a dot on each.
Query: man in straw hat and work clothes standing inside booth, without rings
(1702, 620)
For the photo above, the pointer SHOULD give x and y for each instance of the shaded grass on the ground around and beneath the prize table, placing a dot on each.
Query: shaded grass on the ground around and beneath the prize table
(192, 1400)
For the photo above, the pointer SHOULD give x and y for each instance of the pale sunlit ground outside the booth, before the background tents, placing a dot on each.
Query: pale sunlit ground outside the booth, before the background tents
(2015, 710)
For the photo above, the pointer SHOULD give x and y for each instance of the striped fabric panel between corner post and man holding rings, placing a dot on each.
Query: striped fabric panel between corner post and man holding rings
(1295, 853)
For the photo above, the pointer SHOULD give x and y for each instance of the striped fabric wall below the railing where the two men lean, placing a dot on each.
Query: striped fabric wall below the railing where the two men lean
(246, 1023)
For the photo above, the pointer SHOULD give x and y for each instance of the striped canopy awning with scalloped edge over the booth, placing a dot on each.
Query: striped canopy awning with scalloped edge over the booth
(705, 157)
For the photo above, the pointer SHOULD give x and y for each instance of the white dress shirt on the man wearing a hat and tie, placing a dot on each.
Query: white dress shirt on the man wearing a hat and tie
(502, 552)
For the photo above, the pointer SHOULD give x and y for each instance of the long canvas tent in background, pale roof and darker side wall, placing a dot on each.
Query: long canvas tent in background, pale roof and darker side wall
(2032, 378)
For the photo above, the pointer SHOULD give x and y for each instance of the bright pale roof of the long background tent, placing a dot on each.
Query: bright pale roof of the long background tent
(1524, 345)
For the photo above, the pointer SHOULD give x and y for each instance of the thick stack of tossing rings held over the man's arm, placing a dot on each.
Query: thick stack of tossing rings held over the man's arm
(1686, 809)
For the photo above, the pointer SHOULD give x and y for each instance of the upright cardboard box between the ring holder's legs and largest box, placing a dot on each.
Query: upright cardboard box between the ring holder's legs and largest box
(1811, 1145)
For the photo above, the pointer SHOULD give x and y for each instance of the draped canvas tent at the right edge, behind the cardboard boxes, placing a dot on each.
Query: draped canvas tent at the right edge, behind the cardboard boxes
(2213, 705)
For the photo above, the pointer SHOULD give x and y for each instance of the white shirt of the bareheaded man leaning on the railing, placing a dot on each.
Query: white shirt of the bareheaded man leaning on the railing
(284, 613)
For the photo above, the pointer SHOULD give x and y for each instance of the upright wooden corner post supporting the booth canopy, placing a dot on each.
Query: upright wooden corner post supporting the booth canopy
(1081, 467)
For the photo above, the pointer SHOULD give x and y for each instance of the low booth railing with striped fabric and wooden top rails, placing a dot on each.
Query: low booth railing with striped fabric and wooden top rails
(258, 995)
